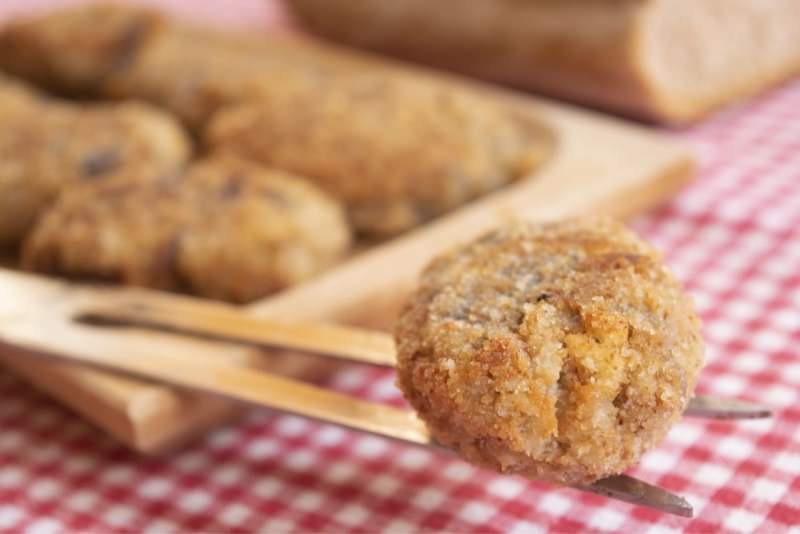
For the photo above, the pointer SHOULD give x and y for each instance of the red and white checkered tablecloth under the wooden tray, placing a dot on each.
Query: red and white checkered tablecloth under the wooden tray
(733, 237)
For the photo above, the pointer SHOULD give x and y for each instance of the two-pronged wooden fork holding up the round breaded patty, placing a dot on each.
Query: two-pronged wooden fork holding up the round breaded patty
(42, 317)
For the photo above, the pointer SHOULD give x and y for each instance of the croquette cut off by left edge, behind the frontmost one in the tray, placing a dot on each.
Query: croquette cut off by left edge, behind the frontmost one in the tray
(48, 146)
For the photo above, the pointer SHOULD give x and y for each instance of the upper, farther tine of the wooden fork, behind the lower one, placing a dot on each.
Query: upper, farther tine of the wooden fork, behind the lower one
(220, 321)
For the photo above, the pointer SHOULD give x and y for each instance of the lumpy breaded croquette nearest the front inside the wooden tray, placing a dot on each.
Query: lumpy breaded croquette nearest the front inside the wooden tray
(225, 229)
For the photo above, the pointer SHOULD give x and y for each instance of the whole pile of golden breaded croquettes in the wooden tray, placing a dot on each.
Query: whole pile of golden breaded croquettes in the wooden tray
(296, 151)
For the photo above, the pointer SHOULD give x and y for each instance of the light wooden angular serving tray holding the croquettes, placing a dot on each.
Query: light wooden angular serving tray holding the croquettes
(599, 165)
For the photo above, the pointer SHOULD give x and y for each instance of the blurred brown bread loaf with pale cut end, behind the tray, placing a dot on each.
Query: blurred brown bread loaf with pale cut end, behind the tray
(673, 60)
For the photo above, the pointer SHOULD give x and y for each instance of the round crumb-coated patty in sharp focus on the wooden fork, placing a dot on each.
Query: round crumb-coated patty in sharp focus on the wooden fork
(562, 351)
